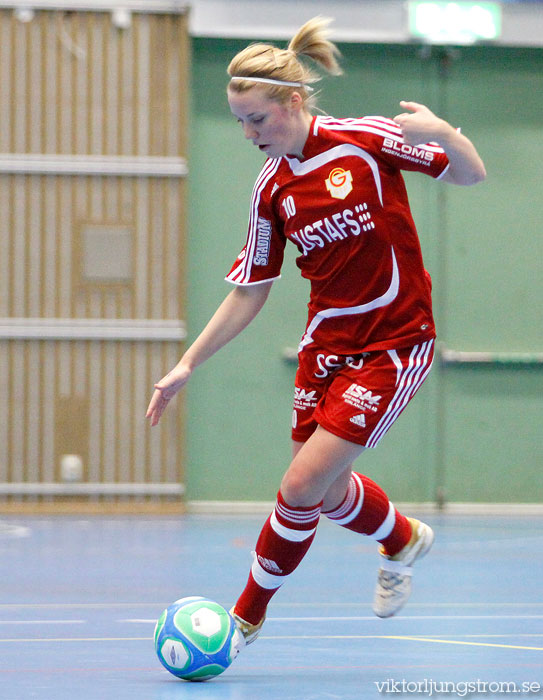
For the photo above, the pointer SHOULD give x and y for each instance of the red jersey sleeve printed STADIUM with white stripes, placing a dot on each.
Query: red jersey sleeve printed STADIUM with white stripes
(262, 255)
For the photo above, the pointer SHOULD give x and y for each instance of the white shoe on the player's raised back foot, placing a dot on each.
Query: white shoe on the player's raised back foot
(394, 576)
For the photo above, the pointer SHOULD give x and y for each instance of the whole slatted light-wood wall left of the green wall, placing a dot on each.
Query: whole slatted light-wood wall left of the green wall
(74, 91)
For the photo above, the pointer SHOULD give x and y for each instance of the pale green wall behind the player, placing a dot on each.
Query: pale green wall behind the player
(471, 434)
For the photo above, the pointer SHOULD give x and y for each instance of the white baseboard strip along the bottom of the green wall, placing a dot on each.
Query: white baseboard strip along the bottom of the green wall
(263, 507)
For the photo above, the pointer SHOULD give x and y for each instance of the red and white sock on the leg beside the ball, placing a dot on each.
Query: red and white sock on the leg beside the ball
(283, 543)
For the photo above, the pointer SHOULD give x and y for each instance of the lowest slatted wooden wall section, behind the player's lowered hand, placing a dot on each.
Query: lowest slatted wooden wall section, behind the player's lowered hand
(86, 398)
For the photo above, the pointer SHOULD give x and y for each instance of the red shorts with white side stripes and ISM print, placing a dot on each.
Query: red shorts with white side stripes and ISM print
(356, 397)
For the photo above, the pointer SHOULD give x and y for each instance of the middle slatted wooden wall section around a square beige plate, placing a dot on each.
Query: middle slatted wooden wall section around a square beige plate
(43, 216)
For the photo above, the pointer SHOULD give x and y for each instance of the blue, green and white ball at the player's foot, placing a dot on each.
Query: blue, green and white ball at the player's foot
(196, 639)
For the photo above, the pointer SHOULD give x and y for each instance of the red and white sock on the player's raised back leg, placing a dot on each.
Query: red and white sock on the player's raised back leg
(366, 509)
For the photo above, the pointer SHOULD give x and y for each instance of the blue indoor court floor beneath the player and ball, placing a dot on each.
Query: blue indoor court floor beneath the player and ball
(80, 597)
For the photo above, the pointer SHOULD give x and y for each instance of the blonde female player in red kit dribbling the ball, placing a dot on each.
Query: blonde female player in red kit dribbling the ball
(334, 188)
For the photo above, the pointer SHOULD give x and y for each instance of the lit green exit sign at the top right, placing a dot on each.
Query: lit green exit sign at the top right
(455, 22)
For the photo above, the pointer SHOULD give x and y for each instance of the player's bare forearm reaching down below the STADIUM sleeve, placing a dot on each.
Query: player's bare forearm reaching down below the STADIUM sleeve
(235, 313)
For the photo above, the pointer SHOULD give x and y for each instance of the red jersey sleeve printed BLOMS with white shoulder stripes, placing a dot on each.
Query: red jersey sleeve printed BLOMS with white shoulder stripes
(388, 144)
